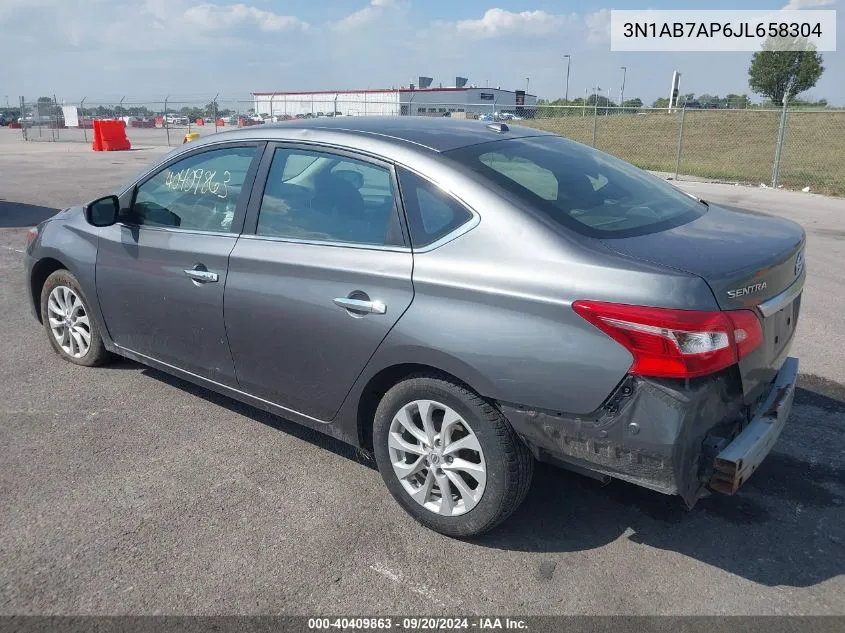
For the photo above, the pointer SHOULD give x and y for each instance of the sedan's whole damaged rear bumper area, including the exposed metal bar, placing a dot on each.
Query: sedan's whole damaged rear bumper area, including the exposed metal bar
(674, 436)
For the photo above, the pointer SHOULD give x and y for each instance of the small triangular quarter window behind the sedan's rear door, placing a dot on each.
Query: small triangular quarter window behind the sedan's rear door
(432, 213)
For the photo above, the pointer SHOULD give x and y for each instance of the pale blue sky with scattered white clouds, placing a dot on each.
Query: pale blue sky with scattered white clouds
(144, 50)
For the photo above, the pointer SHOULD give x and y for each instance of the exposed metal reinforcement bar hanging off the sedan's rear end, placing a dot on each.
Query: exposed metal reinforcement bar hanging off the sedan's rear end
(739, 459)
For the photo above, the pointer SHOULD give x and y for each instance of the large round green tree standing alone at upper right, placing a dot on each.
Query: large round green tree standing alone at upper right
(775, 72)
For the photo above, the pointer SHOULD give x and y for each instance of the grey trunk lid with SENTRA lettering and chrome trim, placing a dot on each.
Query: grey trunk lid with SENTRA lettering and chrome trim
(750, 261)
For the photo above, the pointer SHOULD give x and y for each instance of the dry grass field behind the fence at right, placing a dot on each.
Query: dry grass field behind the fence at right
(736, 145)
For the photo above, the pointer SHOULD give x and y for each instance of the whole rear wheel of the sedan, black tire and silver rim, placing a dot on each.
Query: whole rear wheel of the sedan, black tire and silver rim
(479, 501)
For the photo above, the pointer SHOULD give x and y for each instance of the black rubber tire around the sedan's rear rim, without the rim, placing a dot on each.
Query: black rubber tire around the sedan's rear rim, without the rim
(487, 512)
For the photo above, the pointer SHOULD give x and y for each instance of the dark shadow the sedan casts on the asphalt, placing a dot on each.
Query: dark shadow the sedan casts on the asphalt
(783, 528)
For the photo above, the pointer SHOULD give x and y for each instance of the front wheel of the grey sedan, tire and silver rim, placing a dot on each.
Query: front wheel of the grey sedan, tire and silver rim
(68, 294)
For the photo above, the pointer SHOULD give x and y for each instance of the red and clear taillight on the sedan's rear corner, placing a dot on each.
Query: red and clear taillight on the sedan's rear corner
(672, 343)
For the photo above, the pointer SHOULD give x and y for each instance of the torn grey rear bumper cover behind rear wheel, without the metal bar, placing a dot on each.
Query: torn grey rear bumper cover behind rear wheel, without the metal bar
(651, 432)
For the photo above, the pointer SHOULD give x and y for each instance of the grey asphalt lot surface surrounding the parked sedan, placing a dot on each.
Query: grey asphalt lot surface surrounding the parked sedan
(123, 490)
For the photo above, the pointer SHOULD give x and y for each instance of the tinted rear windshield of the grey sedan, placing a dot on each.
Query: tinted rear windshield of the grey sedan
(581, 188)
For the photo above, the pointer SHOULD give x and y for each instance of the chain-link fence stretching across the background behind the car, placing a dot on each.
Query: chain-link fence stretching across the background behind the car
(792, 148)
